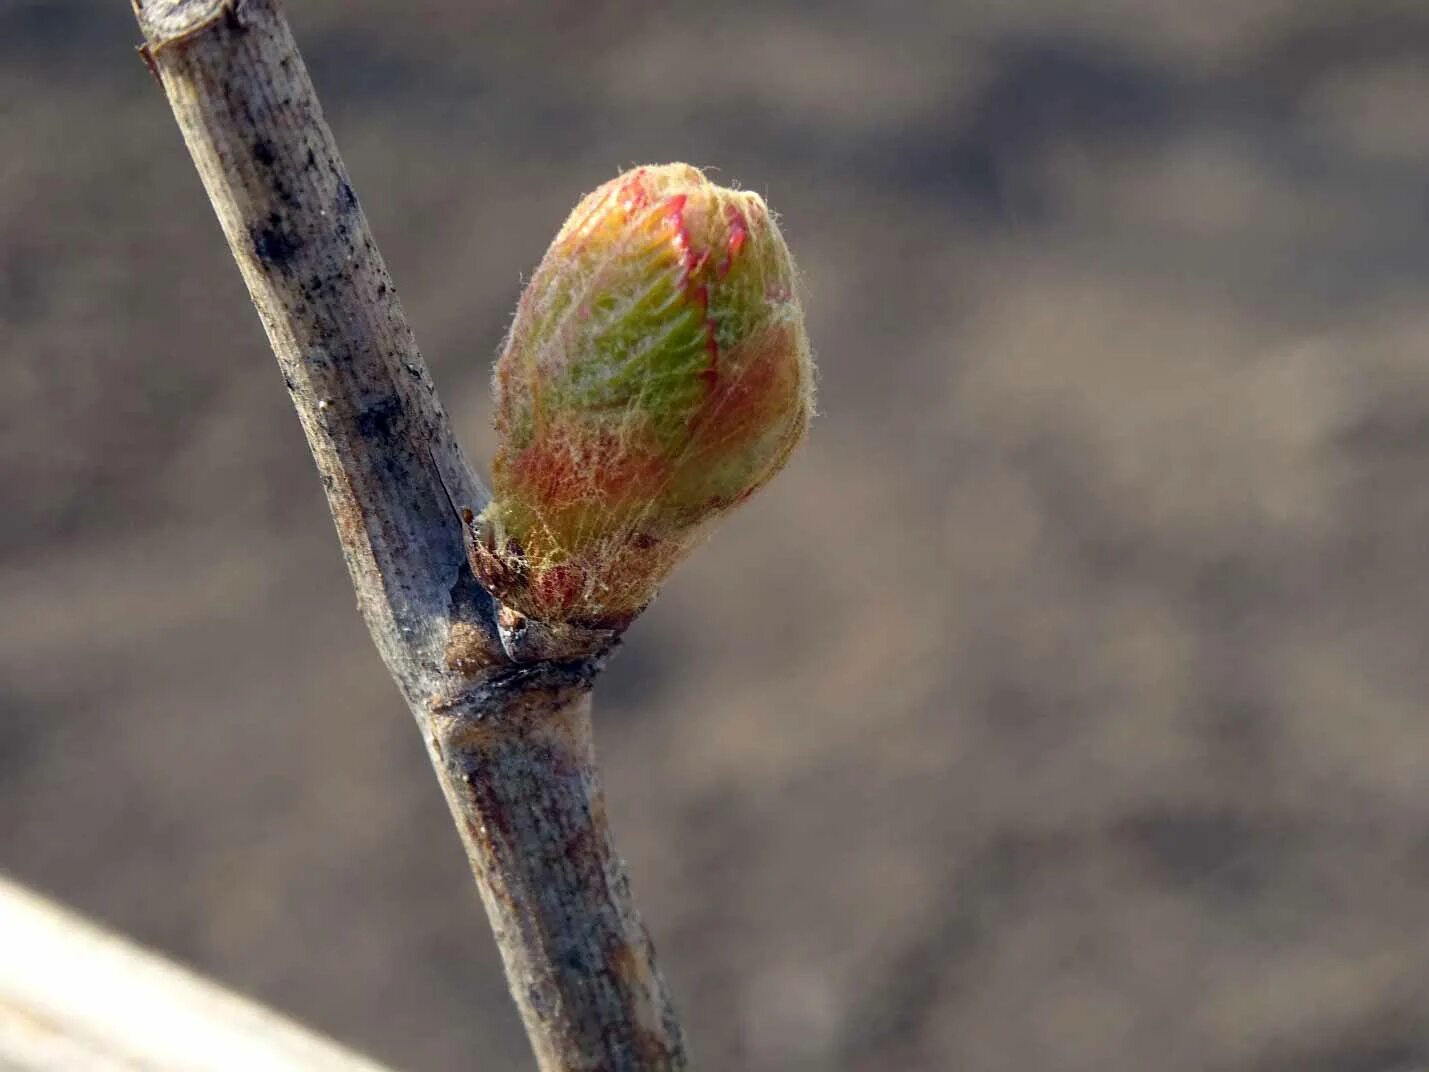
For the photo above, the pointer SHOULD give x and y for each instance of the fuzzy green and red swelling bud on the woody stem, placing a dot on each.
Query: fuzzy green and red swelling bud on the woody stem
(655, 377)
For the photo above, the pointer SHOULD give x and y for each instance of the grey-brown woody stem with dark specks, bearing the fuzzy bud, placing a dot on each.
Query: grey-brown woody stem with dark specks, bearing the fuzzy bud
(511, 743)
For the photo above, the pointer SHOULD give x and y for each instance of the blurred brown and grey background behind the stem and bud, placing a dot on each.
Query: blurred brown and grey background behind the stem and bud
(1061, 708)
